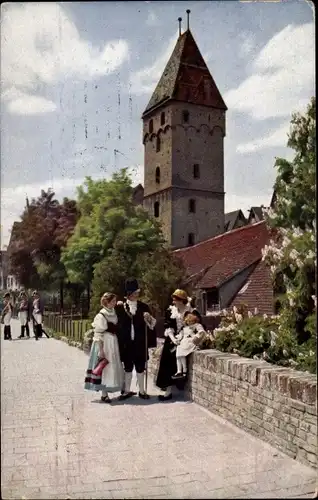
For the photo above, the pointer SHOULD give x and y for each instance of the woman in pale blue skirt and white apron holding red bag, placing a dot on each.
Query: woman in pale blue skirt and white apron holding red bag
(105, 352)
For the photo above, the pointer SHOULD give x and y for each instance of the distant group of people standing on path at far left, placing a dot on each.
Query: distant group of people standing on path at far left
(28, 310)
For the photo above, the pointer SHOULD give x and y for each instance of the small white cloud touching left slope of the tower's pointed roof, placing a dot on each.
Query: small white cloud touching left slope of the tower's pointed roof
(146, 79)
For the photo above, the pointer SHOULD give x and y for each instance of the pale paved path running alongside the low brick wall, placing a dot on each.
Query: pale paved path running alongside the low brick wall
(57, 441)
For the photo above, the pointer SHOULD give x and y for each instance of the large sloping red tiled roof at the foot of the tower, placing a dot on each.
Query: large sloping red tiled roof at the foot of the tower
(221, 257)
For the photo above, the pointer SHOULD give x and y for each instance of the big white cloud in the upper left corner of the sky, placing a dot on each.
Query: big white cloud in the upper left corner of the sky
(41, 45)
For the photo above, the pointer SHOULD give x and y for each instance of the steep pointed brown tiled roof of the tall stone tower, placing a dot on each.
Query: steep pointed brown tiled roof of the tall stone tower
(186, 78)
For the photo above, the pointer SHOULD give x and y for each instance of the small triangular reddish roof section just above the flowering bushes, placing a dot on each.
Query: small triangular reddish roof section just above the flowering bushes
(257, 291)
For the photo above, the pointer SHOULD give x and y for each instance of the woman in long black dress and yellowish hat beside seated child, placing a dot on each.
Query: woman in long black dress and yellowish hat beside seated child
(174, 322)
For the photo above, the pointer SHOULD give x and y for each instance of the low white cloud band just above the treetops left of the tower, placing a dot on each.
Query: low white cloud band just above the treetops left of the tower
(13, 199)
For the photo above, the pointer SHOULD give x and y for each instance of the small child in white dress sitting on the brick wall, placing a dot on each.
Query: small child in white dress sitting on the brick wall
(187, 340)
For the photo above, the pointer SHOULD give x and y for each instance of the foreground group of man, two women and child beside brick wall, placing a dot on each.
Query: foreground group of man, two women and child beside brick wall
(123, 333)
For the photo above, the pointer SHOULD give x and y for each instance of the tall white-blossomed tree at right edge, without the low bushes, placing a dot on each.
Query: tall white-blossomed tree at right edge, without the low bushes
(292, 255)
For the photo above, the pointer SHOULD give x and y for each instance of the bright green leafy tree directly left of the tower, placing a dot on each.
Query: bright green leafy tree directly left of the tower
(112, 233)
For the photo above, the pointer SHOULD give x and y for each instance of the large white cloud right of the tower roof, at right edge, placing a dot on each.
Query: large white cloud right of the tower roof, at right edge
(283, 76)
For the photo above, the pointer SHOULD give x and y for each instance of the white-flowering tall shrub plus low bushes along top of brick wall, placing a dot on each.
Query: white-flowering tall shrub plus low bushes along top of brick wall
(290, 338)
